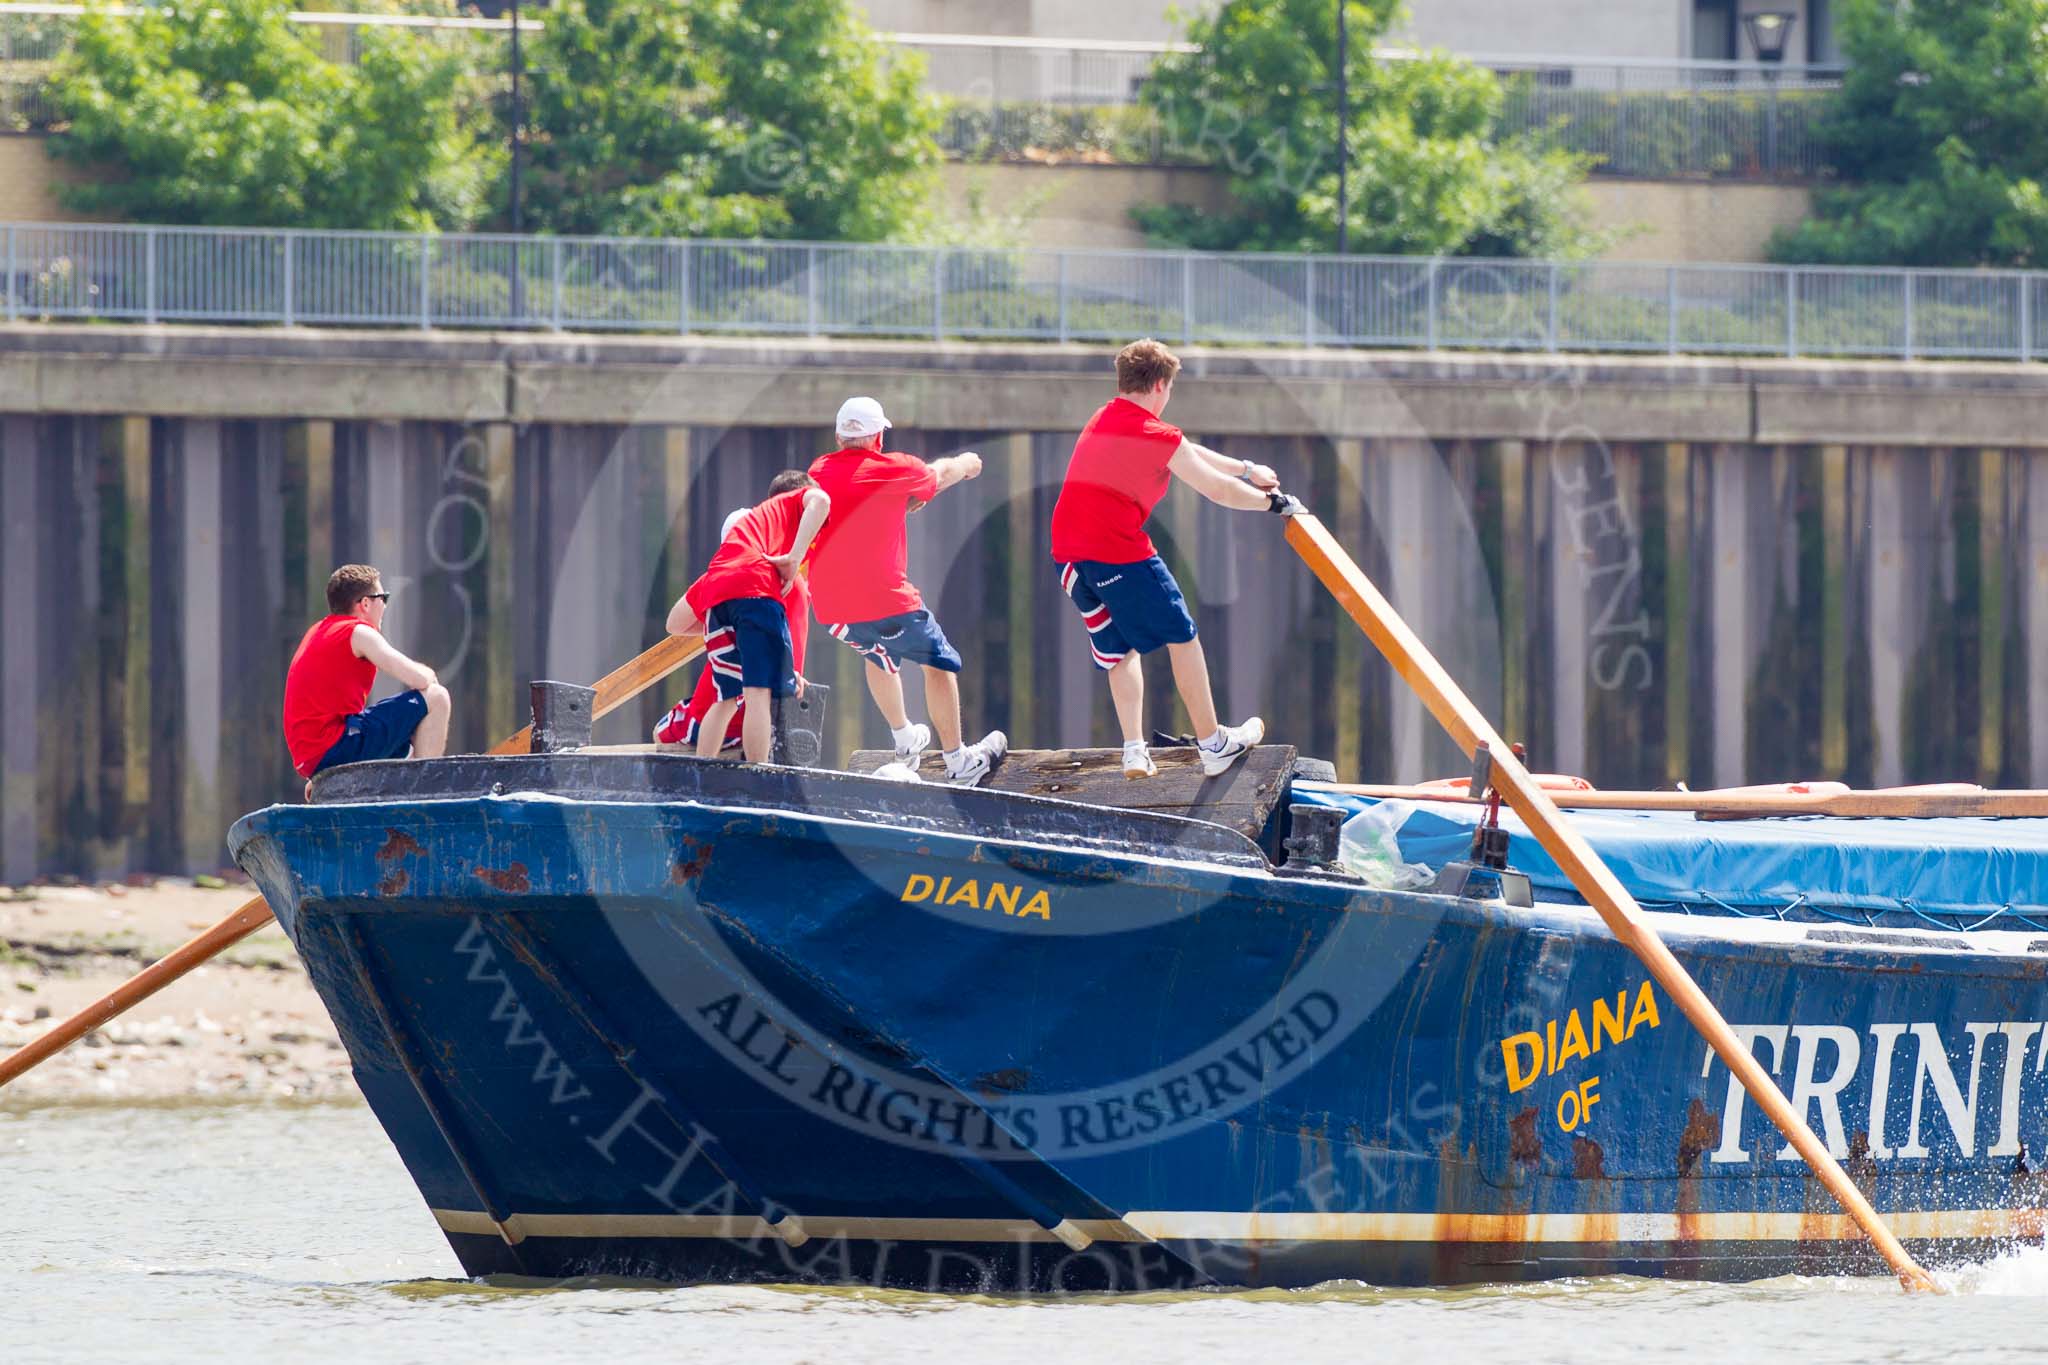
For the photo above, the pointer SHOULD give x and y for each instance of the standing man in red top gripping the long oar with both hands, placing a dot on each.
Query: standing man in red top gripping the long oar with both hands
(1111, 570)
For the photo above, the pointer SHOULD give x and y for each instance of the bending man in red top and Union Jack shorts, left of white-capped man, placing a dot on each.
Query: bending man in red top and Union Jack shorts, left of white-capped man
(738, 609)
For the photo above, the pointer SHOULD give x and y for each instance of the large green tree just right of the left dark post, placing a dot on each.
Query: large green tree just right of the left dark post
(724, 118)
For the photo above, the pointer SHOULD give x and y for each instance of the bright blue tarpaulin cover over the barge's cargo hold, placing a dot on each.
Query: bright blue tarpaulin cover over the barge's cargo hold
(1936, 867)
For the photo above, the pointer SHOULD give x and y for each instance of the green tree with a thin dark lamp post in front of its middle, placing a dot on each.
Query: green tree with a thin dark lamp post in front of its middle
(1428, 169)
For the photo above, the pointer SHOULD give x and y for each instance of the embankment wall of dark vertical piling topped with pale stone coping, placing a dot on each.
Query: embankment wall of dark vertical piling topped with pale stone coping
(1650, 570)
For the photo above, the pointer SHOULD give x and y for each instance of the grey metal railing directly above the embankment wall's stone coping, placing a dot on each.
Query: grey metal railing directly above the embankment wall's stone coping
(1054, 296)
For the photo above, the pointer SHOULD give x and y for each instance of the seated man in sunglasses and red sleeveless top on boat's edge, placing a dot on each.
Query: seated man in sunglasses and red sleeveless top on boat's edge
(331, 676)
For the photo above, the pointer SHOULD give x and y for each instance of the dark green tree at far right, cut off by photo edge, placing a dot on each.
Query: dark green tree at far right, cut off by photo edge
(1940, 138)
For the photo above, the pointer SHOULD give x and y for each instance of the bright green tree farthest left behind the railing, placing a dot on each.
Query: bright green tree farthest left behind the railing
(226, 114)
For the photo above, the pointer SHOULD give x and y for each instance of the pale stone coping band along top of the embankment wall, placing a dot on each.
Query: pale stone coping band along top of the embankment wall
(196, 371)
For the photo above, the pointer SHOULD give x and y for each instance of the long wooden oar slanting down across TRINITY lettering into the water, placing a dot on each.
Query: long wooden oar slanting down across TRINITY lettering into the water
(1578, 858)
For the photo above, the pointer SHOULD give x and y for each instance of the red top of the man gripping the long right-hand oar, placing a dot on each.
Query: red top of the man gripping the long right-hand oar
(1115, 480)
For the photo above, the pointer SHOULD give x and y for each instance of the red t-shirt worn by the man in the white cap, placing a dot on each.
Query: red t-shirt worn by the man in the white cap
(861, 566)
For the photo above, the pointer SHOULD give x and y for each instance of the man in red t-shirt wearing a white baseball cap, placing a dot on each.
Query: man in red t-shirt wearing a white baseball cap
(863, 595)
